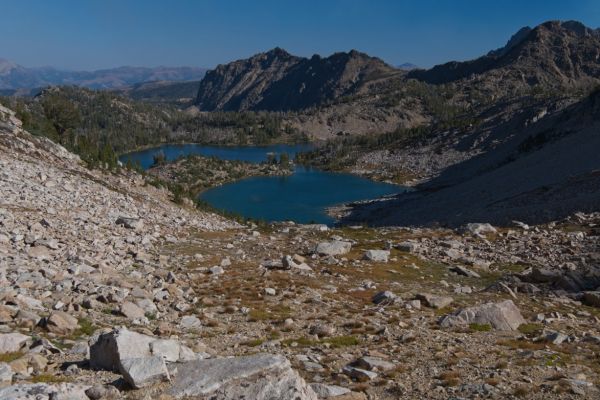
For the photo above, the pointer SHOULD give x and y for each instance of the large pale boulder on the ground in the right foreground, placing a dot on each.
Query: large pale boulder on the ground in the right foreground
(501, 316)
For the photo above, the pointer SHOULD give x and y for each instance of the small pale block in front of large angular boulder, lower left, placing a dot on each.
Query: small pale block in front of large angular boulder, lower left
(144, 371)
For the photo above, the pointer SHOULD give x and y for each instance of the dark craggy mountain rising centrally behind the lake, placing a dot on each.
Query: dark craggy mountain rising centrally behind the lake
(279, 81)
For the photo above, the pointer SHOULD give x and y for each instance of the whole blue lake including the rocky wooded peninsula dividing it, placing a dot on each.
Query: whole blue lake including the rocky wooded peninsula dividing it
(236, 179)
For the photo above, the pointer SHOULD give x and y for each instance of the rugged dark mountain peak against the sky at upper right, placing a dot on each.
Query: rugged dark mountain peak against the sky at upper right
(554, 54)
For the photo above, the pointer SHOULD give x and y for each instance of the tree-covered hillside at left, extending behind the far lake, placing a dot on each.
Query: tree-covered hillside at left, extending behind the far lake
(99, 124)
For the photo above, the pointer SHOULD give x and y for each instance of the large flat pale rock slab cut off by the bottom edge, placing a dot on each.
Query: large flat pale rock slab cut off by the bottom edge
(257, 377)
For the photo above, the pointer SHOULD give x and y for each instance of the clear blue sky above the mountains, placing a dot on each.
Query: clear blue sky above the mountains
(92, 34)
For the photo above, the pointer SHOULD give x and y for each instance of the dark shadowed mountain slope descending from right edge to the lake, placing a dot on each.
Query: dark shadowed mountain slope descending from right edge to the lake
(543, 172)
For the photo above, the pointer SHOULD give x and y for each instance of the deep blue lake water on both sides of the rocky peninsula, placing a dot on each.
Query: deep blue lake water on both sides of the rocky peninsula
(301, 197)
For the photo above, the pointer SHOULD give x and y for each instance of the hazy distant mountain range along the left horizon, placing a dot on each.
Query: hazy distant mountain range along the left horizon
(15, 77)
